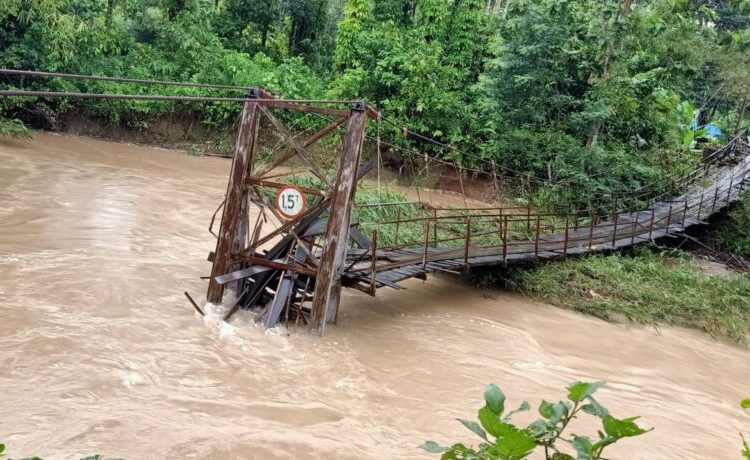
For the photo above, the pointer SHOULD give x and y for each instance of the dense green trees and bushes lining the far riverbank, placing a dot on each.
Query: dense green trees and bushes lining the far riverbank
(602, 94)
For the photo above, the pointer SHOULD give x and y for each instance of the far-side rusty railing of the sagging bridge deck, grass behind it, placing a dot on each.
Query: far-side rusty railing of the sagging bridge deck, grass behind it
(516, 233)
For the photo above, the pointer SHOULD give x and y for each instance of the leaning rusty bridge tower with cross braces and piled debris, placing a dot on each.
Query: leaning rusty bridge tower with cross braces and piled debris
(292, 270)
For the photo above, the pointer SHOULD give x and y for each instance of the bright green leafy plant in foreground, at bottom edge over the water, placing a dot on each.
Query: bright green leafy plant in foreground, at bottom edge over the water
(504, 440)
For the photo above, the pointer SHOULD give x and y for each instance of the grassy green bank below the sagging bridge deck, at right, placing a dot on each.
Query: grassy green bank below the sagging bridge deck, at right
(652, 287)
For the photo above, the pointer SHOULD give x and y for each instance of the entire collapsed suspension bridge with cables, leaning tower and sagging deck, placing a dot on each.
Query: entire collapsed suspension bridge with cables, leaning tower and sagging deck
(296, 268)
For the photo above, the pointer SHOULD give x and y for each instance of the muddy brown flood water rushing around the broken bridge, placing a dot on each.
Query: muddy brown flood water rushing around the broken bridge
(101, 353)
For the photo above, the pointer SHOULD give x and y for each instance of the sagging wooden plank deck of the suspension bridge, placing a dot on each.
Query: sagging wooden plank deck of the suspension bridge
(622, 230)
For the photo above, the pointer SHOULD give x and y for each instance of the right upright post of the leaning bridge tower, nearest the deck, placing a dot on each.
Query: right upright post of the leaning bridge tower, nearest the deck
(328, 284)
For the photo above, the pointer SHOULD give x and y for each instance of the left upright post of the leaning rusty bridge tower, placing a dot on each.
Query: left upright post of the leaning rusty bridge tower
(233, 230)
